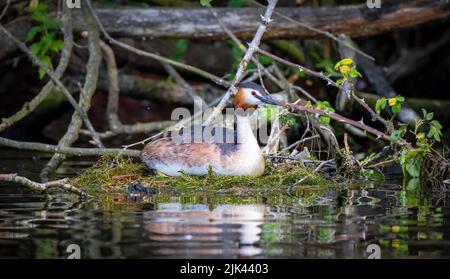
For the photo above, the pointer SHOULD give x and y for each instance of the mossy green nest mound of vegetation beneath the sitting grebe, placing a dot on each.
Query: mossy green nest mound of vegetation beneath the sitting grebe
(113, 174)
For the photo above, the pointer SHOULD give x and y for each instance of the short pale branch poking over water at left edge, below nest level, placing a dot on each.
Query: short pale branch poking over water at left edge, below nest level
(61, 184)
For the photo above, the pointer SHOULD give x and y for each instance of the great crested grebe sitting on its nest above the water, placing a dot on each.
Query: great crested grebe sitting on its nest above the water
(241, 156)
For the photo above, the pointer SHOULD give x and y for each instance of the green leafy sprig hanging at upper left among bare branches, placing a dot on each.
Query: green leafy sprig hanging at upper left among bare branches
(44, 35)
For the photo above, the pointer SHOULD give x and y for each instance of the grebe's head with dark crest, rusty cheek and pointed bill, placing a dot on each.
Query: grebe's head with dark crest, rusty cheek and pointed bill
(251, 95)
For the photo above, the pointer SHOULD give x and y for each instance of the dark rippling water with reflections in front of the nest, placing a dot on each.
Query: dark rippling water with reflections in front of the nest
(402, 220)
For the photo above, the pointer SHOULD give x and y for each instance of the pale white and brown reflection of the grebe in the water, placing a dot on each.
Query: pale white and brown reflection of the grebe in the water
(195, 229)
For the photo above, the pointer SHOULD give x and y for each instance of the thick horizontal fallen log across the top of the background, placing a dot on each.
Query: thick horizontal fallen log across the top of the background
(199, 23)
